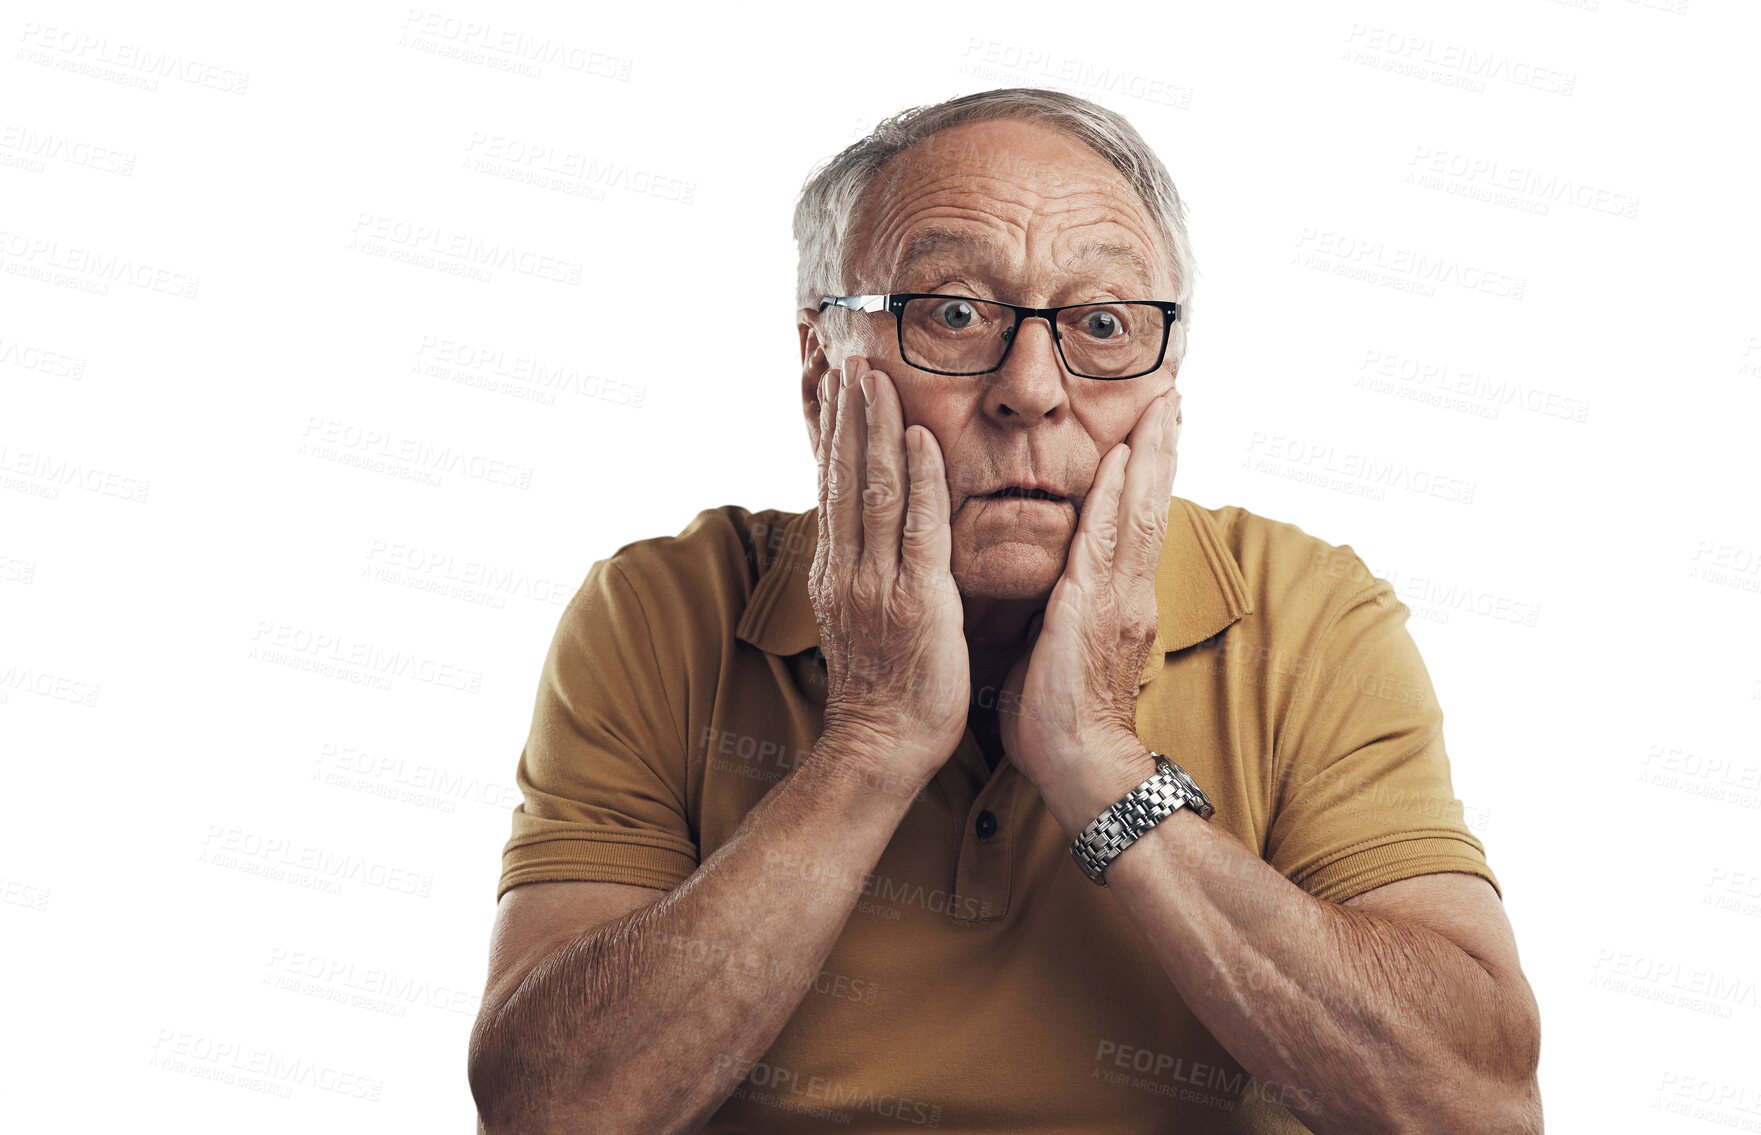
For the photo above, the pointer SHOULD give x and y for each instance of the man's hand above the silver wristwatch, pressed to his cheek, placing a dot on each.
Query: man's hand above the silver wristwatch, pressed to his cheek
(1070, 715)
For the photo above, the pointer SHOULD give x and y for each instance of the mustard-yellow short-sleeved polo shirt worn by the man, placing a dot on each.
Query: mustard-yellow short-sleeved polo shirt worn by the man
(982, 981)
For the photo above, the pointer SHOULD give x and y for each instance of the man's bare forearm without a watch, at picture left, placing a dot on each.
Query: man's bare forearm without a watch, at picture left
(628, 1030)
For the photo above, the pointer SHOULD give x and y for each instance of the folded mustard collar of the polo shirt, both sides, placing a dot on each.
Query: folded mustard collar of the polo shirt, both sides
(1198, 589)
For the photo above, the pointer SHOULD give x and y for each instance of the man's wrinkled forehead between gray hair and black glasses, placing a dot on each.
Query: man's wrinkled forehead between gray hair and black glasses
(996, 198)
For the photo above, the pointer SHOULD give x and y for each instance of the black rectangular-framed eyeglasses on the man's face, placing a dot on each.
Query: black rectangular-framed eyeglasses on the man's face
(964, 335)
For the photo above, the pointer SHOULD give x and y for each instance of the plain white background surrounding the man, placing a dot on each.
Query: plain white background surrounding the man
(291, 501)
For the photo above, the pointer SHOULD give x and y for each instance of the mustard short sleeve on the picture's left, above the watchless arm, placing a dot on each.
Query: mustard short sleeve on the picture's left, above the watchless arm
(603, 772)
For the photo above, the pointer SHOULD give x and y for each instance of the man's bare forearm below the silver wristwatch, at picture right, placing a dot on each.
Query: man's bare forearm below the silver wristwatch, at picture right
(1364, 1025)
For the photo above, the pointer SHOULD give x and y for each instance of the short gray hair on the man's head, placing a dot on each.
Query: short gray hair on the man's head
(827, 207)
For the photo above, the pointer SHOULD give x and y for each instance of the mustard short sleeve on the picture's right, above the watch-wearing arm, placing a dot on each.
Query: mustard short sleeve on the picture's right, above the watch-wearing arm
(1362, 779)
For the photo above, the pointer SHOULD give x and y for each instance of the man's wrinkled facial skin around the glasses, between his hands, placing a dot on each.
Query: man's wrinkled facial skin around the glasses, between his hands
(1040, 198)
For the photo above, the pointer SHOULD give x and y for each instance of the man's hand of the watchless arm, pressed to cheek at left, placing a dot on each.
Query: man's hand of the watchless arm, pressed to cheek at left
(890, 617)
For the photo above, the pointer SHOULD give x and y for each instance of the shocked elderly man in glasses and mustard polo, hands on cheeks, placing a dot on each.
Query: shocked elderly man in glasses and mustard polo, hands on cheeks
(816, 802)
